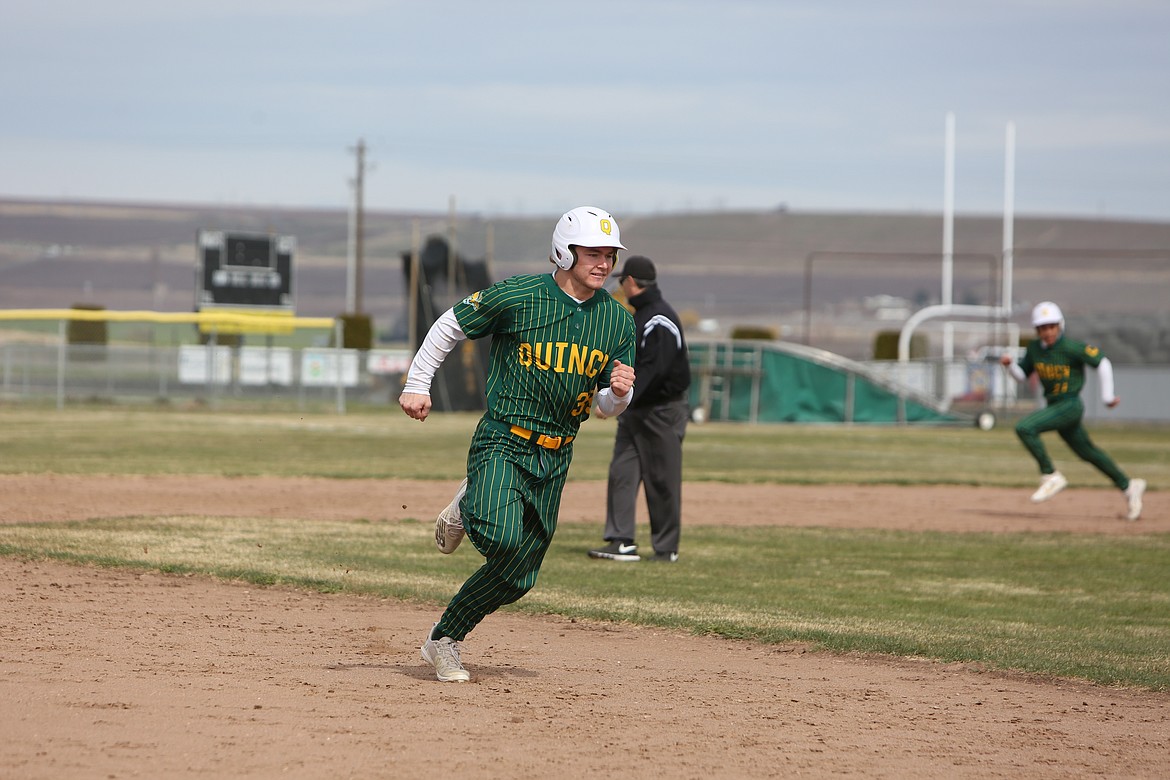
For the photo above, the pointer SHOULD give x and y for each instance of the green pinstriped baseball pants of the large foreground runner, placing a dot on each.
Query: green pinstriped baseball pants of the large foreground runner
(511, 515)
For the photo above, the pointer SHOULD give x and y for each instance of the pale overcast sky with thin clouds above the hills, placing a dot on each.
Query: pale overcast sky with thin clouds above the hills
(536, 107)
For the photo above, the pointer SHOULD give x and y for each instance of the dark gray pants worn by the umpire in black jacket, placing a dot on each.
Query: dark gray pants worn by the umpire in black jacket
(648, 452)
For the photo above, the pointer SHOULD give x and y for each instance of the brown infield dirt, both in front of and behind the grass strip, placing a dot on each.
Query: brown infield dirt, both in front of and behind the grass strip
(113, 674)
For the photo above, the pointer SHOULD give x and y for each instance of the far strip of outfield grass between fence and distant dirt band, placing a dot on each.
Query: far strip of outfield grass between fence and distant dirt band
(387, 444)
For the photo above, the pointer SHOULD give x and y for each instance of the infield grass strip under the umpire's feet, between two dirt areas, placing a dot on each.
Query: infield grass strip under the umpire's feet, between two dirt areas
(1073, 606)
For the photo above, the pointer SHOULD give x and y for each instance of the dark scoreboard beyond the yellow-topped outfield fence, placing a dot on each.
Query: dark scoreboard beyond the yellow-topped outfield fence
(249, 271)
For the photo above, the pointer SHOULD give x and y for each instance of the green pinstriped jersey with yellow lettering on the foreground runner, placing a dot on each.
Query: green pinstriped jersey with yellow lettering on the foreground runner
(549, 354)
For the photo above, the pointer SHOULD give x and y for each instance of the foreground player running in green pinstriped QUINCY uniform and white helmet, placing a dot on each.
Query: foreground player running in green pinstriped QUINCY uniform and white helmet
(559, 343)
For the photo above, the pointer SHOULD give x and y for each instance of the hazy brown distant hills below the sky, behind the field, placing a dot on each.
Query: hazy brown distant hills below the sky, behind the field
(830, 279)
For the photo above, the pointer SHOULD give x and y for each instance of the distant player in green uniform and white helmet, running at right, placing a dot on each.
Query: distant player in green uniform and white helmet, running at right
(1059, 362)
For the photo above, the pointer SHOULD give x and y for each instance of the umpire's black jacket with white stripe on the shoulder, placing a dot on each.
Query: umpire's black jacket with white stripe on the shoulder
(662, 369)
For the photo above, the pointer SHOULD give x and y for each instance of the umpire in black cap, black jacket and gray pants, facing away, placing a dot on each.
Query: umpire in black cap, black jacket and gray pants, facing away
(648, 451)
